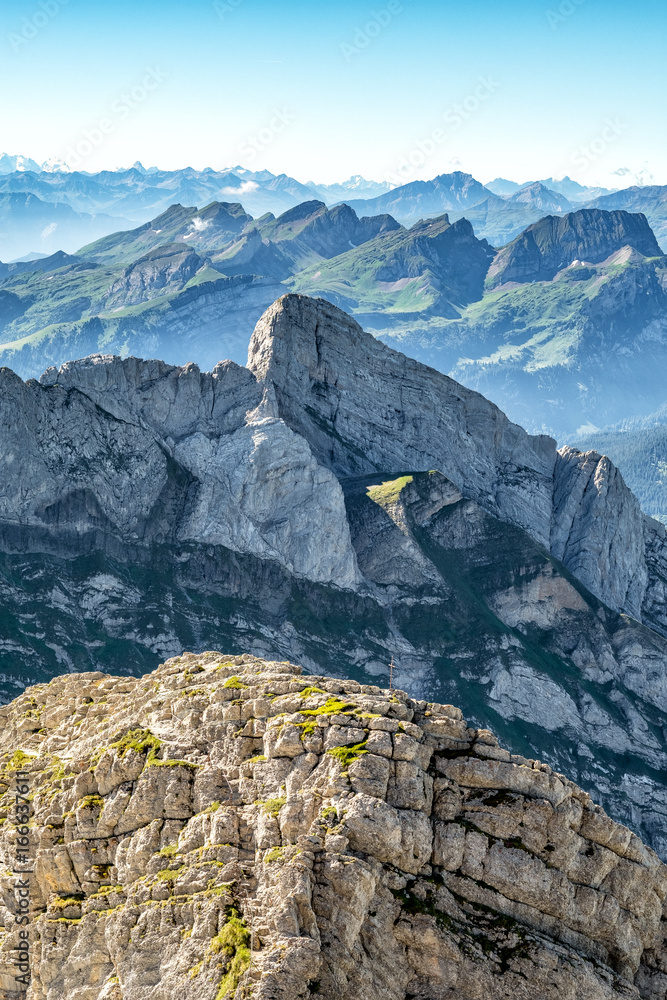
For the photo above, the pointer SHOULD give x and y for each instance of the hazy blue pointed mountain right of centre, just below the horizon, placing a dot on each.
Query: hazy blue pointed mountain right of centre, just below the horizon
(421, 199)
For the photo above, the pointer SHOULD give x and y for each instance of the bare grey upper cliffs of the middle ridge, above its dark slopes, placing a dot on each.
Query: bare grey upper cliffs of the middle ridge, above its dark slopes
(337, 403)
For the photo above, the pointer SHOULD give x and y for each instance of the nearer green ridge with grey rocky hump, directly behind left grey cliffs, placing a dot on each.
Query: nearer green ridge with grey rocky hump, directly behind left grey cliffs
(153, 309)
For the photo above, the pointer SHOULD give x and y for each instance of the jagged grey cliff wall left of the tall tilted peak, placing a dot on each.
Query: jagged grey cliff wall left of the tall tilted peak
(254, 476)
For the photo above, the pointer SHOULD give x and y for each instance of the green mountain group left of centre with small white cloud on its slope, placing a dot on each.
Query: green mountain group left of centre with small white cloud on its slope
(189, 285)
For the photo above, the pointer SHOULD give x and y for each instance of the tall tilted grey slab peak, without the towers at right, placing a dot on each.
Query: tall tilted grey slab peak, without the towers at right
(364, 407)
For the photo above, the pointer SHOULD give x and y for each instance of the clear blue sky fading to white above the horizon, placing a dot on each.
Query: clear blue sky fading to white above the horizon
(397, 89)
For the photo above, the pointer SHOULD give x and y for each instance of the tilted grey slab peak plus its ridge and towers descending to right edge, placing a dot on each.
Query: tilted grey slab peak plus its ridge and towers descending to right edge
(364, 407)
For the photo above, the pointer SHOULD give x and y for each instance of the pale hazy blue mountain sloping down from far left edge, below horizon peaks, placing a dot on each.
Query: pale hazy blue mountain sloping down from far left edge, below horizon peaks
(29, 224)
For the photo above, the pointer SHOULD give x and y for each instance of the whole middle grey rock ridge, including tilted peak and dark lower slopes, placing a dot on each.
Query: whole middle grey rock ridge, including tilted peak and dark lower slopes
(337, 503)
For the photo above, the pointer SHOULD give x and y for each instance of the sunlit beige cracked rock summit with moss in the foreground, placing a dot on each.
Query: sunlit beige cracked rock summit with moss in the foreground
(225, 827)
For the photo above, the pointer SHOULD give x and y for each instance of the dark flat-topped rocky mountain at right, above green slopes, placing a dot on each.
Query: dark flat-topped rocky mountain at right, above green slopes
(553, 243)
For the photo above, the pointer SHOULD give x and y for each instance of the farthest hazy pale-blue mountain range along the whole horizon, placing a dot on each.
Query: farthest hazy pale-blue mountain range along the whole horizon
(498, 211)
